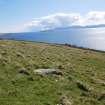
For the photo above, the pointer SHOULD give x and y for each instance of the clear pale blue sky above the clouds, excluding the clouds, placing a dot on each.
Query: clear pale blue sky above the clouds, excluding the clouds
(15, 13)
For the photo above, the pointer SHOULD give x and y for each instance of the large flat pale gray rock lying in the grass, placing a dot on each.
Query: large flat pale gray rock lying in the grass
(48, 72)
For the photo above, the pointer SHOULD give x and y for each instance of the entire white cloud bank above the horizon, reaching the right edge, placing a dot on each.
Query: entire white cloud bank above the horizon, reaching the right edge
(59, 20)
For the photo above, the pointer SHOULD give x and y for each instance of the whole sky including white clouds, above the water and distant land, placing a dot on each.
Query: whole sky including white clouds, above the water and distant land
(29, 15)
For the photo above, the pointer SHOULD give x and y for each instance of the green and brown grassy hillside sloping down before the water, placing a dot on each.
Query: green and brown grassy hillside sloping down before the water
(82, 80)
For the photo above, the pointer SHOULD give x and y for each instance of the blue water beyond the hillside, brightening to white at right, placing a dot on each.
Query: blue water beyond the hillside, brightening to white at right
(86, 37)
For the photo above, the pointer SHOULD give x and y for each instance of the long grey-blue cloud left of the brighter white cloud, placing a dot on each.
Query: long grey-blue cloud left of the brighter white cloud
(52, 21)
